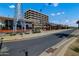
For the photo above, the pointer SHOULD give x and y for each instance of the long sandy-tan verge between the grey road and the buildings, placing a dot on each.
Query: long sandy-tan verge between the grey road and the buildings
(18, 37)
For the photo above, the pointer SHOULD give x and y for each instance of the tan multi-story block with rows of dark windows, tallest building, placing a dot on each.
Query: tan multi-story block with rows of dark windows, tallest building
(38, 19)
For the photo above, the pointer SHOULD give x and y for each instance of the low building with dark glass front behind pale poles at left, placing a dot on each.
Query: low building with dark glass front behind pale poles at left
(6, 25)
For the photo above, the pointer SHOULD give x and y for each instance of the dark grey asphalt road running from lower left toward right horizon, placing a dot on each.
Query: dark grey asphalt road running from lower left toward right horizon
(35, 46)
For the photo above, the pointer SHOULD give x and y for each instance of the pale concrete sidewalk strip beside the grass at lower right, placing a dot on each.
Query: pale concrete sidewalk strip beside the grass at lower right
(61, 50)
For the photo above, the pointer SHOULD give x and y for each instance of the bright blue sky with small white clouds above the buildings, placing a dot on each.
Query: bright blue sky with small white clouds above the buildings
(59, 13)
